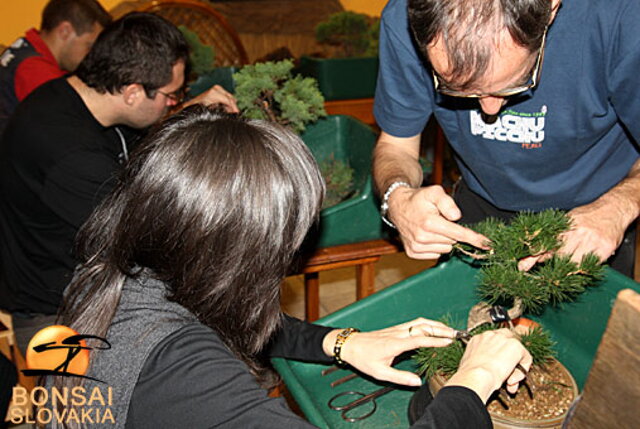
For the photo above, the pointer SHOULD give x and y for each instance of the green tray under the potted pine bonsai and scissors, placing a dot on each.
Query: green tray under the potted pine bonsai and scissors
(448, 288)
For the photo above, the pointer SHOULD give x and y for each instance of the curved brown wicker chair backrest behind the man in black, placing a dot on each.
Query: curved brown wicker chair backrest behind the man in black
(212, 28)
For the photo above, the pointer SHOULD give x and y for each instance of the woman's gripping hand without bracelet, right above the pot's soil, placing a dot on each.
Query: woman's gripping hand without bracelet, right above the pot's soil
(489, 360)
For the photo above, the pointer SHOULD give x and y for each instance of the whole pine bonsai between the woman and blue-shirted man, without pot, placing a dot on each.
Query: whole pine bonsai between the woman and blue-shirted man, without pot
(501, 282)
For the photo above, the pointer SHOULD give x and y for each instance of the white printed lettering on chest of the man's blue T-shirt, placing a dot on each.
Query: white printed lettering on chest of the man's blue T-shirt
(526, 129)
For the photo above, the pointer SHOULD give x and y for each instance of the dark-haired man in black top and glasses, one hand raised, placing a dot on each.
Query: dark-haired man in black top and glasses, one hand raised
(63, 148)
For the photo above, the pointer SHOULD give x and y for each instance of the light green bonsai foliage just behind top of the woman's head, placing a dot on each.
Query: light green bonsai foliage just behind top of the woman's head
(268, 91)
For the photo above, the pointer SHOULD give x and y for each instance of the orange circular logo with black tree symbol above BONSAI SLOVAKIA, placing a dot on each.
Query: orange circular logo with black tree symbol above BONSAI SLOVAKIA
(58, 348)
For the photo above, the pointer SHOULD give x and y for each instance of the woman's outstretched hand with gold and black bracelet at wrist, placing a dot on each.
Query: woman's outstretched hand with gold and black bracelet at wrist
(373, 352)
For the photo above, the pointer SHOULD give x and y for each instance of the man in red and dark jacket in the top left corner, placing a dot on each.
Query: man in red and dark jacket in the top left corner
(67, 32)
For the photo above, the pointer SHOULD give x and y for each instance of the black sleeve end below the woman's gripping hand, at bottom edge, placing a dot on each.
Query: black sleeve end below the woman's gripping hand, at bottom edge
(455, 407)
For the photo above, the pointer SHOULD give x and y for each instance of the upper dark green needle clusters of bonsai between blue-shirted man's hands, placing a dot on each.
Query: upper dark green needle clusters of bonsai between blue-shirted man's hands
(530, 234)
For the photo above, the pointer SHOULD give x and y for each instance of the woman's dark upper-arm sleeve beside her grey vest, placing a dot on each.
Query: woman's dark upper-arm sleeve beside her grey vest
(192, 380)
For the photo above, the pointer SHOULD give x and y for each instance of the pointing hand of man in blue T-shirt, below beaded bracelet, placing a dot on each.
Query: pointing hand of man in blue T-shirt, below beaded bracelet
(425, 219)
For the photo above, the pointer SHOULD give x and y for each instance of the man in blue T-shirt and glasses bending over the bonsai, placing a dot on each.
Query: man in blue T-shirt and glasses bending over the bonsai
(537, 99)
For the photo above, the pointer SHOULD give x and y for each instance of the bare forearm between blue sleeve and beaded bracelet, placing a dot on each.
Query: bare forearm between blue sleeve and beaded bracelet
(396, 162)
